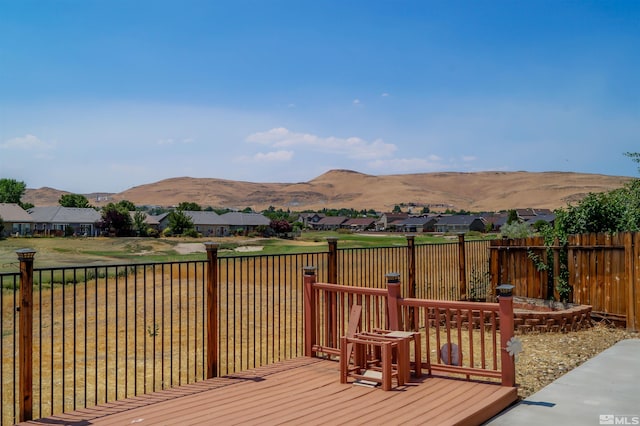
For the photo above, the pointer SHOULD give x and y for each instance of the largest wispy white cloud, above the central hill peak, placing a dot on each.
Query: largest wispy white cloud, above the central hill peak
(353, 147)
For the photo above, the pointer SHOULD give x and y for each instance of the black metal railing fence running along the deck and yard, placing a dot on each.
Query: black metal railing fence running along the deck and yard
(108, 332)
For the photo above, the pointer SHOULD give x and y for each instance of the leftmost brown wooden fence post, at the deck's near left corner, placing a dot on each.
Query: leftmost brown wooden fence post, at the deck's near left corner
(26, 256)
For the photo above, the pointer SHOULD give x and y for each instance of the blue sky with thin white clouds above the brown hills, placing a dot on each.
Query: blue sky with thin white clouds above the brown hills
(106, 95)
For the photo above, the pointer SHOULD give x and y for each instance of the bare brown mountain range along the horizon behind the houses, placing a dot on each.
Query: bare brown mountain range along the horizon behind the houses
(479, 191)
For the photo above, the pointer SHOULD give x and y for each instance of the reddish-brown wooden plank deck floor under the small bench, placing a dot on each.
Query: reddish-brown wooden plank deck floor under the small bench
(301, 391)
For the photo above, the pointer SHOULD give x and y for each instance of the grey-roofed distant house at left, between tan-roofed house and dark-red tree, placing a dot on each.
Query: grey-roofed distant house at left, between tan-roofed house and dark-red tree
(54, 220)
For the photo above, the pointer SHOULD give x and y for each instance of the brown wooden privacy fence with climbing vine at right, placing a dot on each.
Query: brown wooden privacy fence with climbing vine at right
(601, 270)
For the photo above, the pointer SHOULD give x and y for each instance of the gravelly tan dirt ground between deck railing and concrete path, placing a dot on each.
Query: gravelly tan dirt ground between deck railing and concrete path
(547, 356)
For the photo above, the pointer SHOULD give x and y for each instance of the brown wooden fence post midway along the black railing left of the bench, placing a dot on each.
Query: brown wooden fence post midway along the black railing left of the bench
(212, 309)
